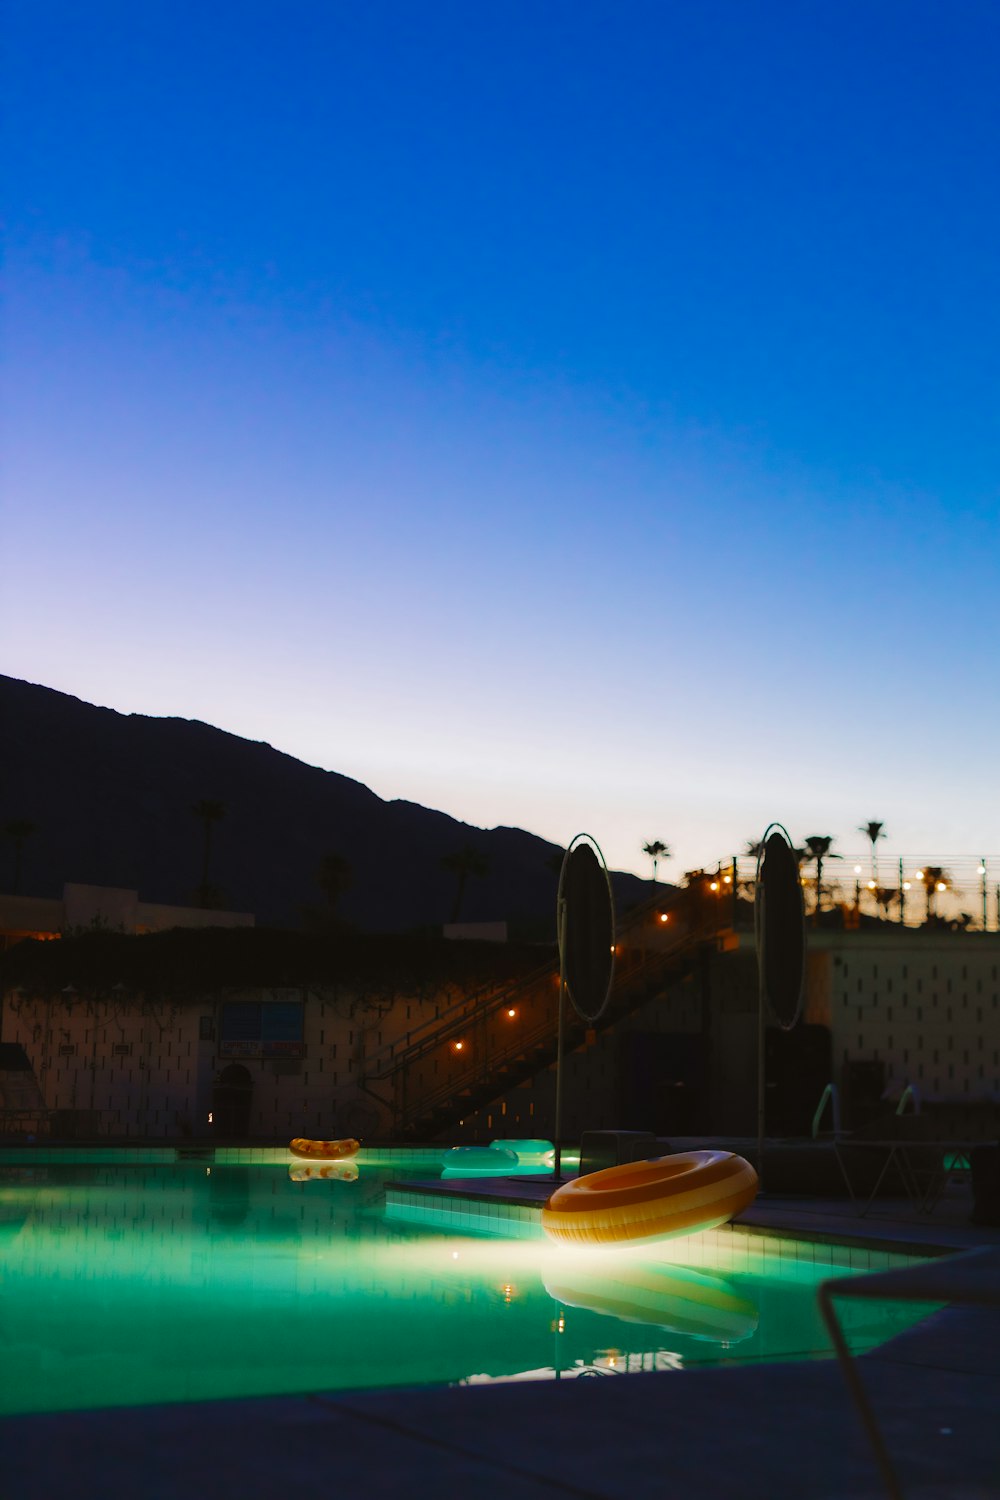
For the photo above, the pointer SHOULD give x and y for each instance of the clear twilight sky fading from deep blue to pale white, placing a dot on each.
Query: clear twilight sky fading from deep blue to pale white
(566, 415)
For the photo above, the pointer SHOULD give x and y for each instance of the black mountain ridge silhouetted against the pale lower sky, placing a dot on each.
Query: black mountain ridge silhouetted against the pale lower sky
(112, 799)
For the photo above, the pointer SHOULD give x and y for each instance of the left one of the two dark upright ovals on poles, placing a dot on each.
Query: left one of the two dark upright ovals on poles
(587, 928)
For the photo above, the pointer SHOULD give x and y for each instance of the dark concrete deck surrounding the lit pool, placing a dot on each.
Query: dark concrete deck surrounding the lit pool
(749, 1433)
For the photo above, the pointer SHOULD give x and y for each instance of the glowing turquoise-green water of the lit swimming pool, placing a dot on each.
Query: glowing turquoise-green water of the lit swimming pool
(136, 1285)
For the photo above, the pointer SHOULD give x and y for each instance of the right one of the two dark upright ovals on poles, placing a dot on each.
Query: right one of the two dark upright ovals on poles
(780, 925)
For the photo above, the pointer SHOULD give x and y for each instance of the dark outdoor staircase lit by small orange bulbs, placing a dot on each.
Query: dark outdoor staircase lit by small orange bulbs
(497, 1039)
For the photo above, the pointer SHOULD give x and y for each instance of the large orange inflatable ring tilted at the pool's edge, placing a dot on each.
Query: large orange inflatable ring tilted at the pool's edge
(645, 1201)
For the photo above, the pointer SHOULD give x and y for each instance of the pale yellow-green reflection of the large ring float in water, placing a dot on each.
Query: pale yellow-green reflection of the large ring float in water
(665, 1297)
